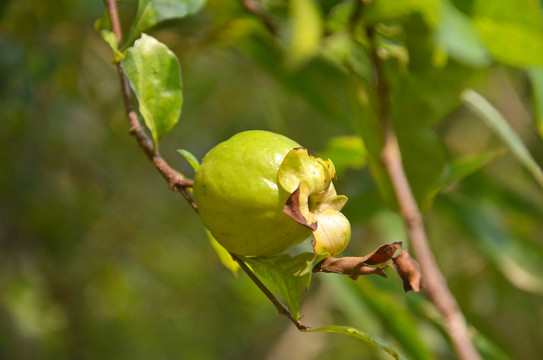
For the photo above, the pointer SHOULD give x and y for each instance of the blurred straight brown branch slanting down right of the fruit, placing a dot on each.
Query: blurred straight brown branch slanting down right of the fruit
(434, 282)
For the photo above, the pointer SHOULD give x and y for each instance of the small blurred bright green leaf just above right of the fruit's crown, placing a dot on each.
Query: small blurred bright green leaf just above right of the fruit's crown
(346, 152)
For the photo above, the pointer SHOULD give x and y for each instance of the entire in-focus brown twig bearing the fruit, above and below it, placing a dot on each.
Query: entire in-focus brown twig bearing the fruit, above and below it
(175, 180)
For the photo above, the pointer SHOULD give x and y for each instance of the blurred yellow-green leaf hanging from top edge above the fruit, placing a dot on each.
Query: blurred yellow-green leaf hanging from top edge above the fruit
(306, 31)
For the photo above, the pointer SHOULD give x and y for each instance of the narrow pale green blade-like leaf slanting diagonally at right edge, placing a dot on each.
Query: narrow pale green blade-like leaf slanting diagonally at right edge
(497, 123)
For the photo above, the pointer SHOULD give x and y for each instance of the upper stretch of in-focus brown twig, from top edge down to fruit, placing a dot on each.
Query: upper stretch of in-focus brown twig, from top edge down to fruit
(176, 181)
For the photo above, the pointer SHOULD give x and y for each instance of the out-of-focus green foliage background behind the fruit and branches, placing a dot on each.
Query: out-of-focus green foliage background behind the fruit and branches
(98, 259)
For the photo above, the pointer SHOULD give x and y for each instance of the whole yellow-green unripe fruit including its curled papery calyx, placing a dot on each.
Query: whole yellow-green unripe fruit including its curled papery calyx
(242, 199)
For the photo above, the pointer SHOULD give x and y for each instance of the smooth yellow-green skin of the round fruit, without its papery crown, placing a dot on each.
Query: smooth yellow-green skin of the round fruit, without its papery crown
(239, 199)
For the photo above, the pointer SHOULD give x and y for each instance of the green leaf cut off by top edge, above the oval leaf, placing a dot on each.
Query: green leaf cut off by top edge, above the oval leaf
(151, 12)
